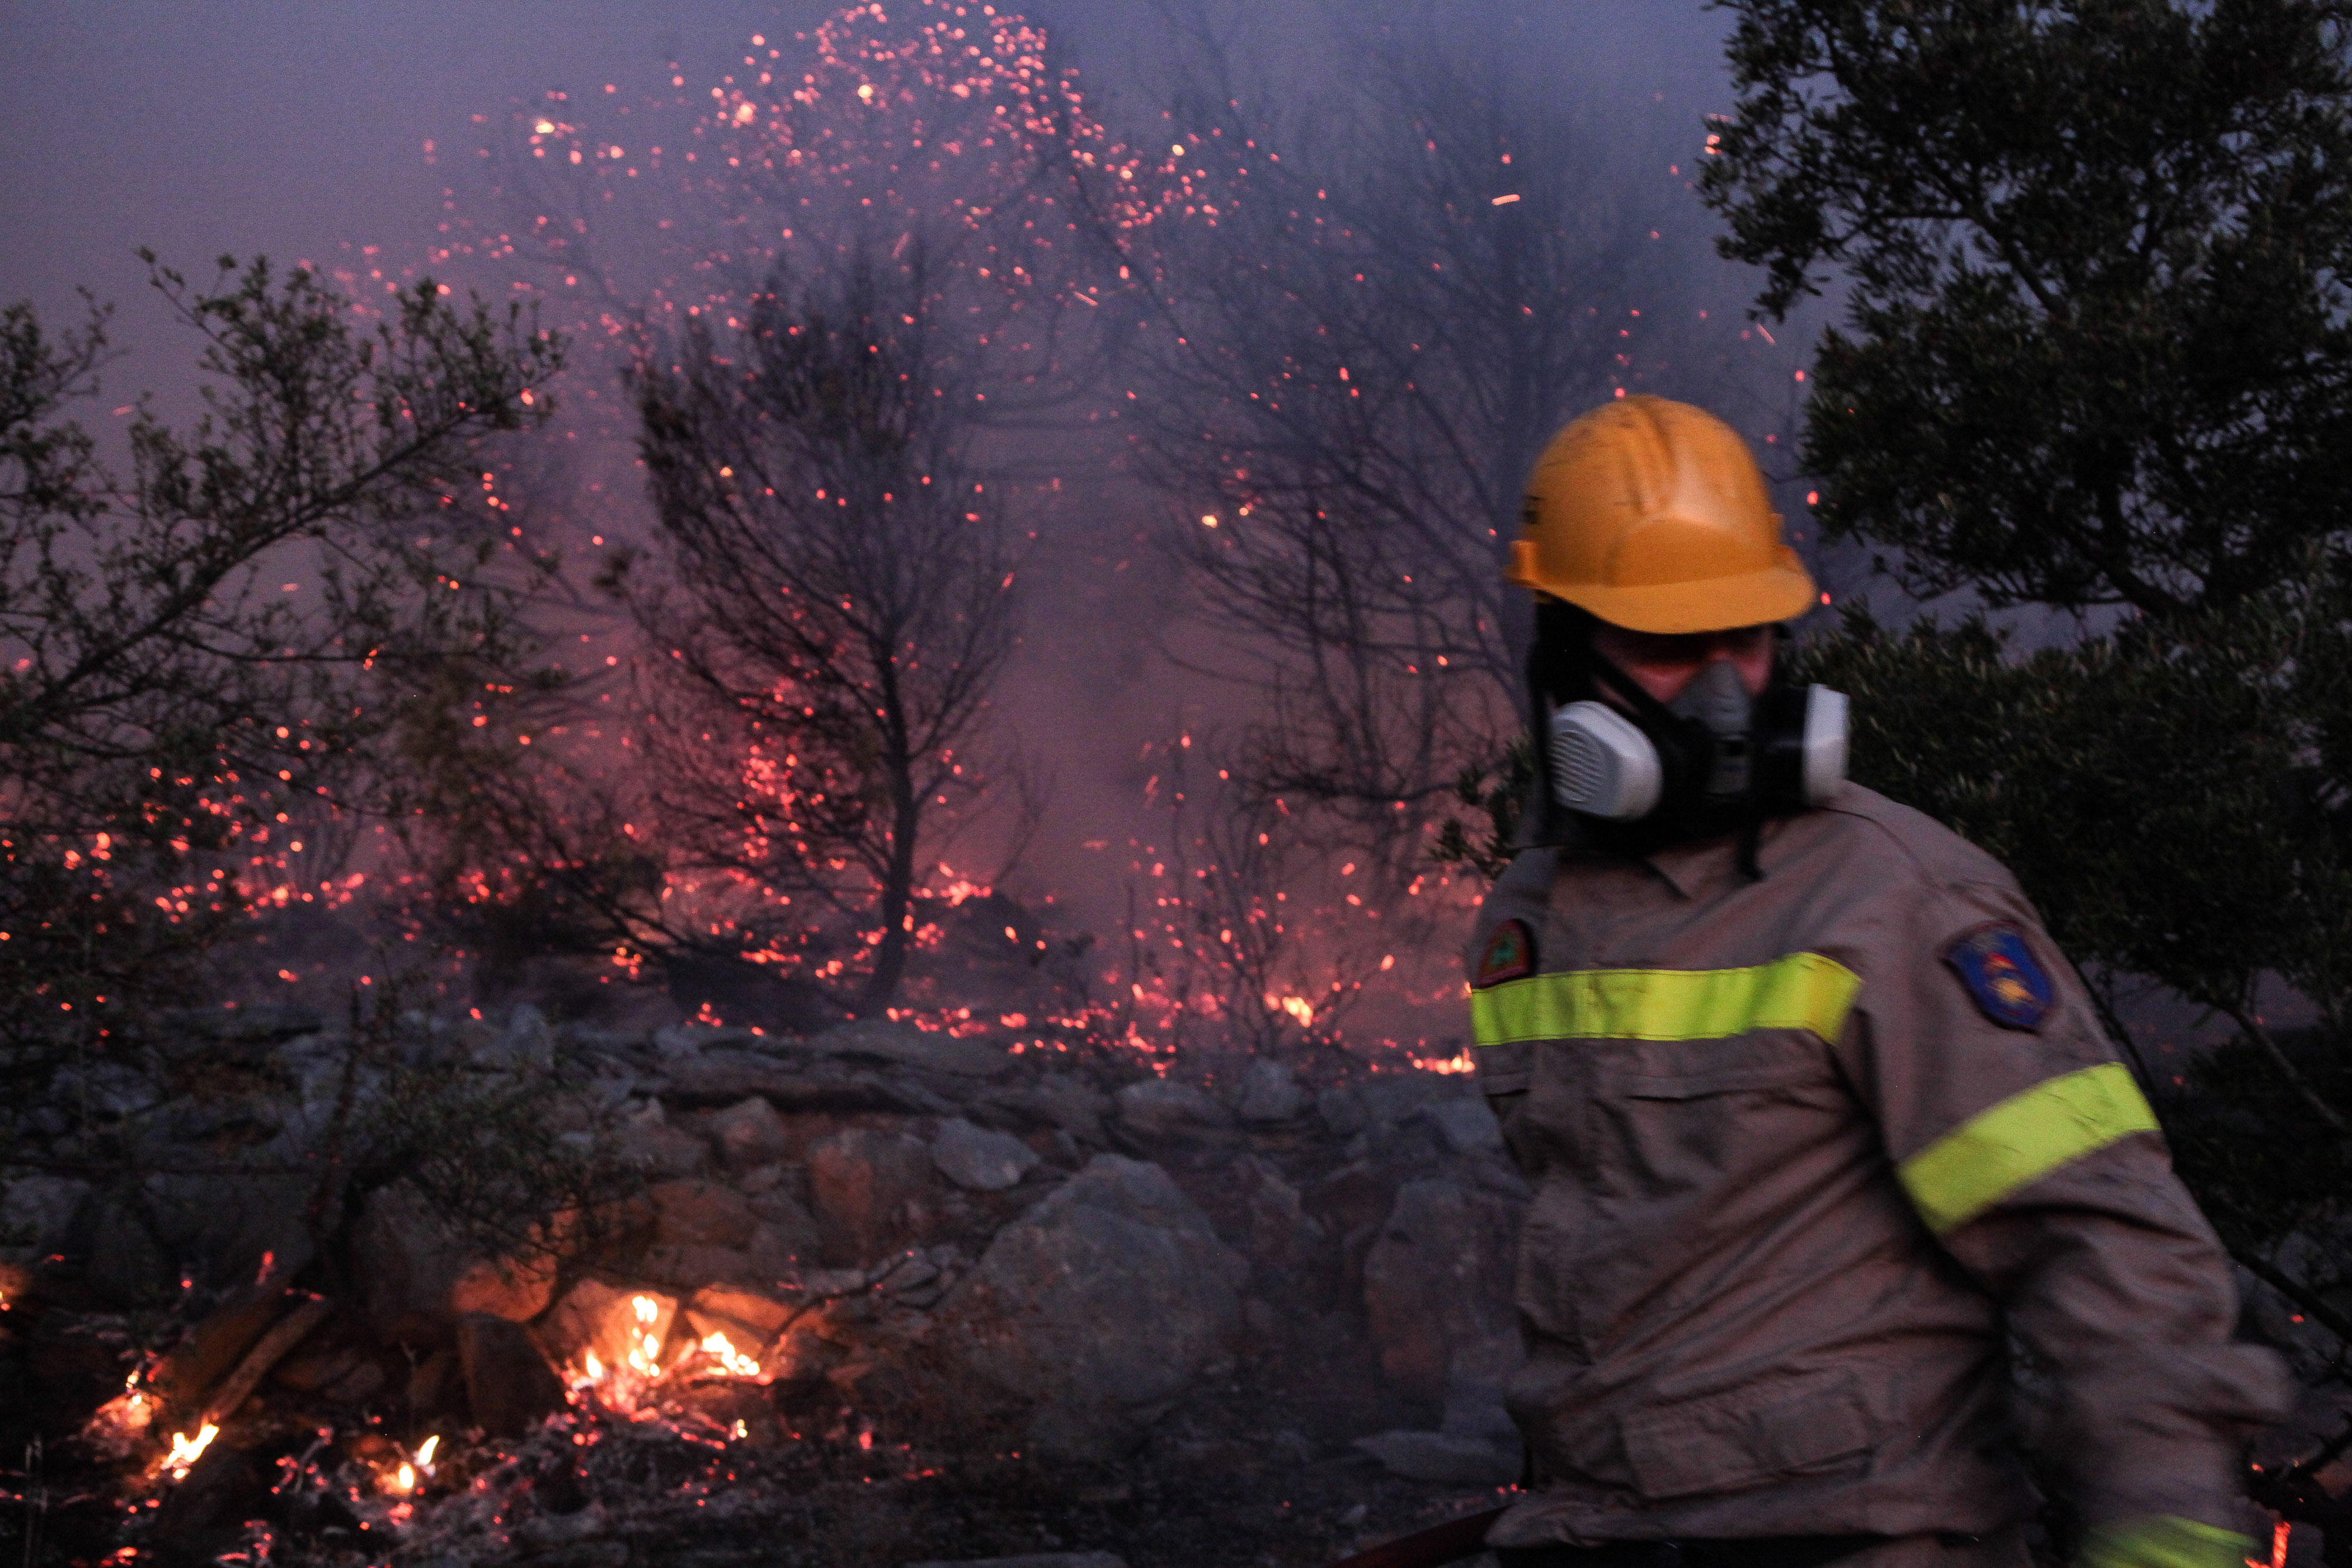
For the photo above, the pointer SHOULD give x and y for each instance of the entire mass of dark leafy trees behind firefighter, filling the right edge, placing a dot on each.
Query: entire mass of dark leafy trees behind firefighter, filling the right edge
(2097, 361)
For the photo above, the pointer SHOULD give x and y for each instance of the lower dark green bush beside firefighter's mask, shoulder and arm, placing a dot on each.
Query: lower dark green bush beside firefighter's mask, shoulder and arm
(2172, 800)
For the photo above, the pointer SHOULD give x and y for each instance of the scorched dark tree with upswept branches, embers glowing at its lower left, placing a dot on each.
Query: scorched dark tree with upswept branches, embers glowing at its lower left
(838, 608)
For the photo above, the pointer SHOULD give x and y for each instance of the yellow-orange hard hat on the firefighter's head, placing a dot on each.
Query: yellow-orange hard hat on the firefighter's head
(1655, 516)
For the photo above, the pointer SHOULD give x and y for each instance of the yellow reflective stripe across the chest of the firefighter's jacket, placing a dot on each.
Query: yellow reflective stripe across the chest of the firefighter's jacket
(1803, 991)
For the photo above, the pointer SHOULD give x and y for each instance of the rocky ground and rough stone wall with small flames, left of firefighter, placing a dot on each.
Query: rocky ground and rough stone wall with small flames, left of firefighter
(867, 1296)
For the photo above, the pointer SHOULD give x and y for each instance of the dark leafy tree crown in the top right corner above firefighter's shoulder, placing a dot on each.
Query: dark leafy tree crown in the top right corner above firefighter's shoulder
(2097, 344)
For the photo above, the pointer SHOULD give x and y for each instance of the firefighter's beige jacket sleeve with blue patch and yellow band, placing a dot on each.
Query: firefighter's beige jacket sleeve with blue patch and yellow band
(2033, 1160)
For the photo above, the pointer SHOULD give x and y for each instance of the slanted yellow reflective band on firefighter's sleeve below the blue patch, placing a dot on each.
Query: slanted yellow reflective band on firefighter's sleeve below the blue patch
(2022, 1141)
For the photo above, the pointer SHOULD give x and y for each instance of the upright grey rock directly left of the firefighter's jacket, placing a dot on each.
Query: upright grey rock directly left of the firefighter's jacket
(1438, 1287)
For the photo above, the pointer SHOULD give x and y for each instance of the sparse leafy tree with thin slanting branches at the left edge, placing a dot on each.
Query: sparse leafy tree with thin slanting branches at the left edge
(225, 650)
